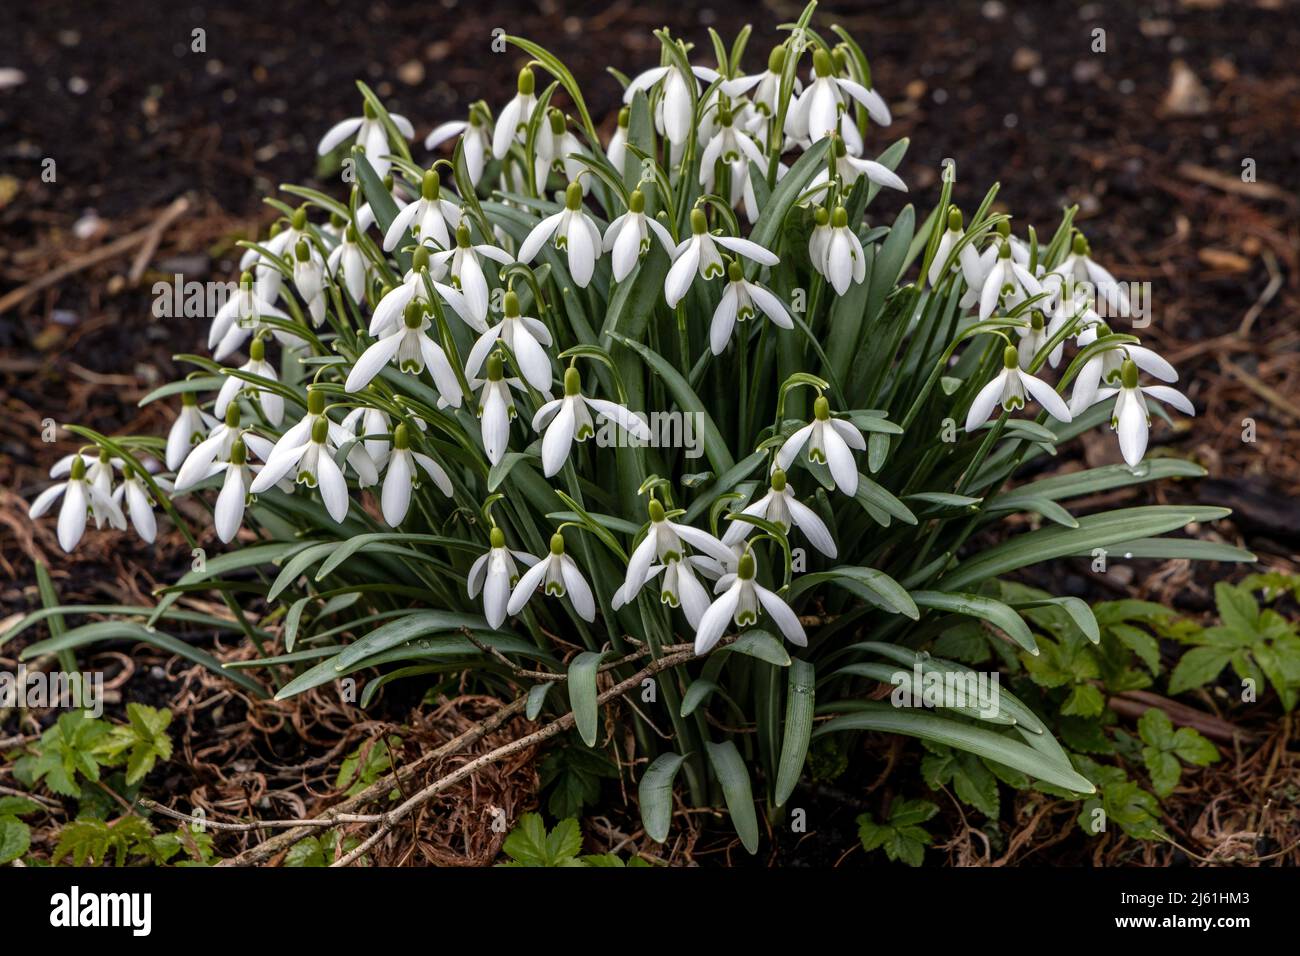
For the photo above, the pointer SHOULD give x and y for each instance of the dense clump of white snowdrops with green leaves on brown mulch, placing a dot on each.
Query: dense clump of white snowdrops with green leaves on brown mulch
(553, 406)
